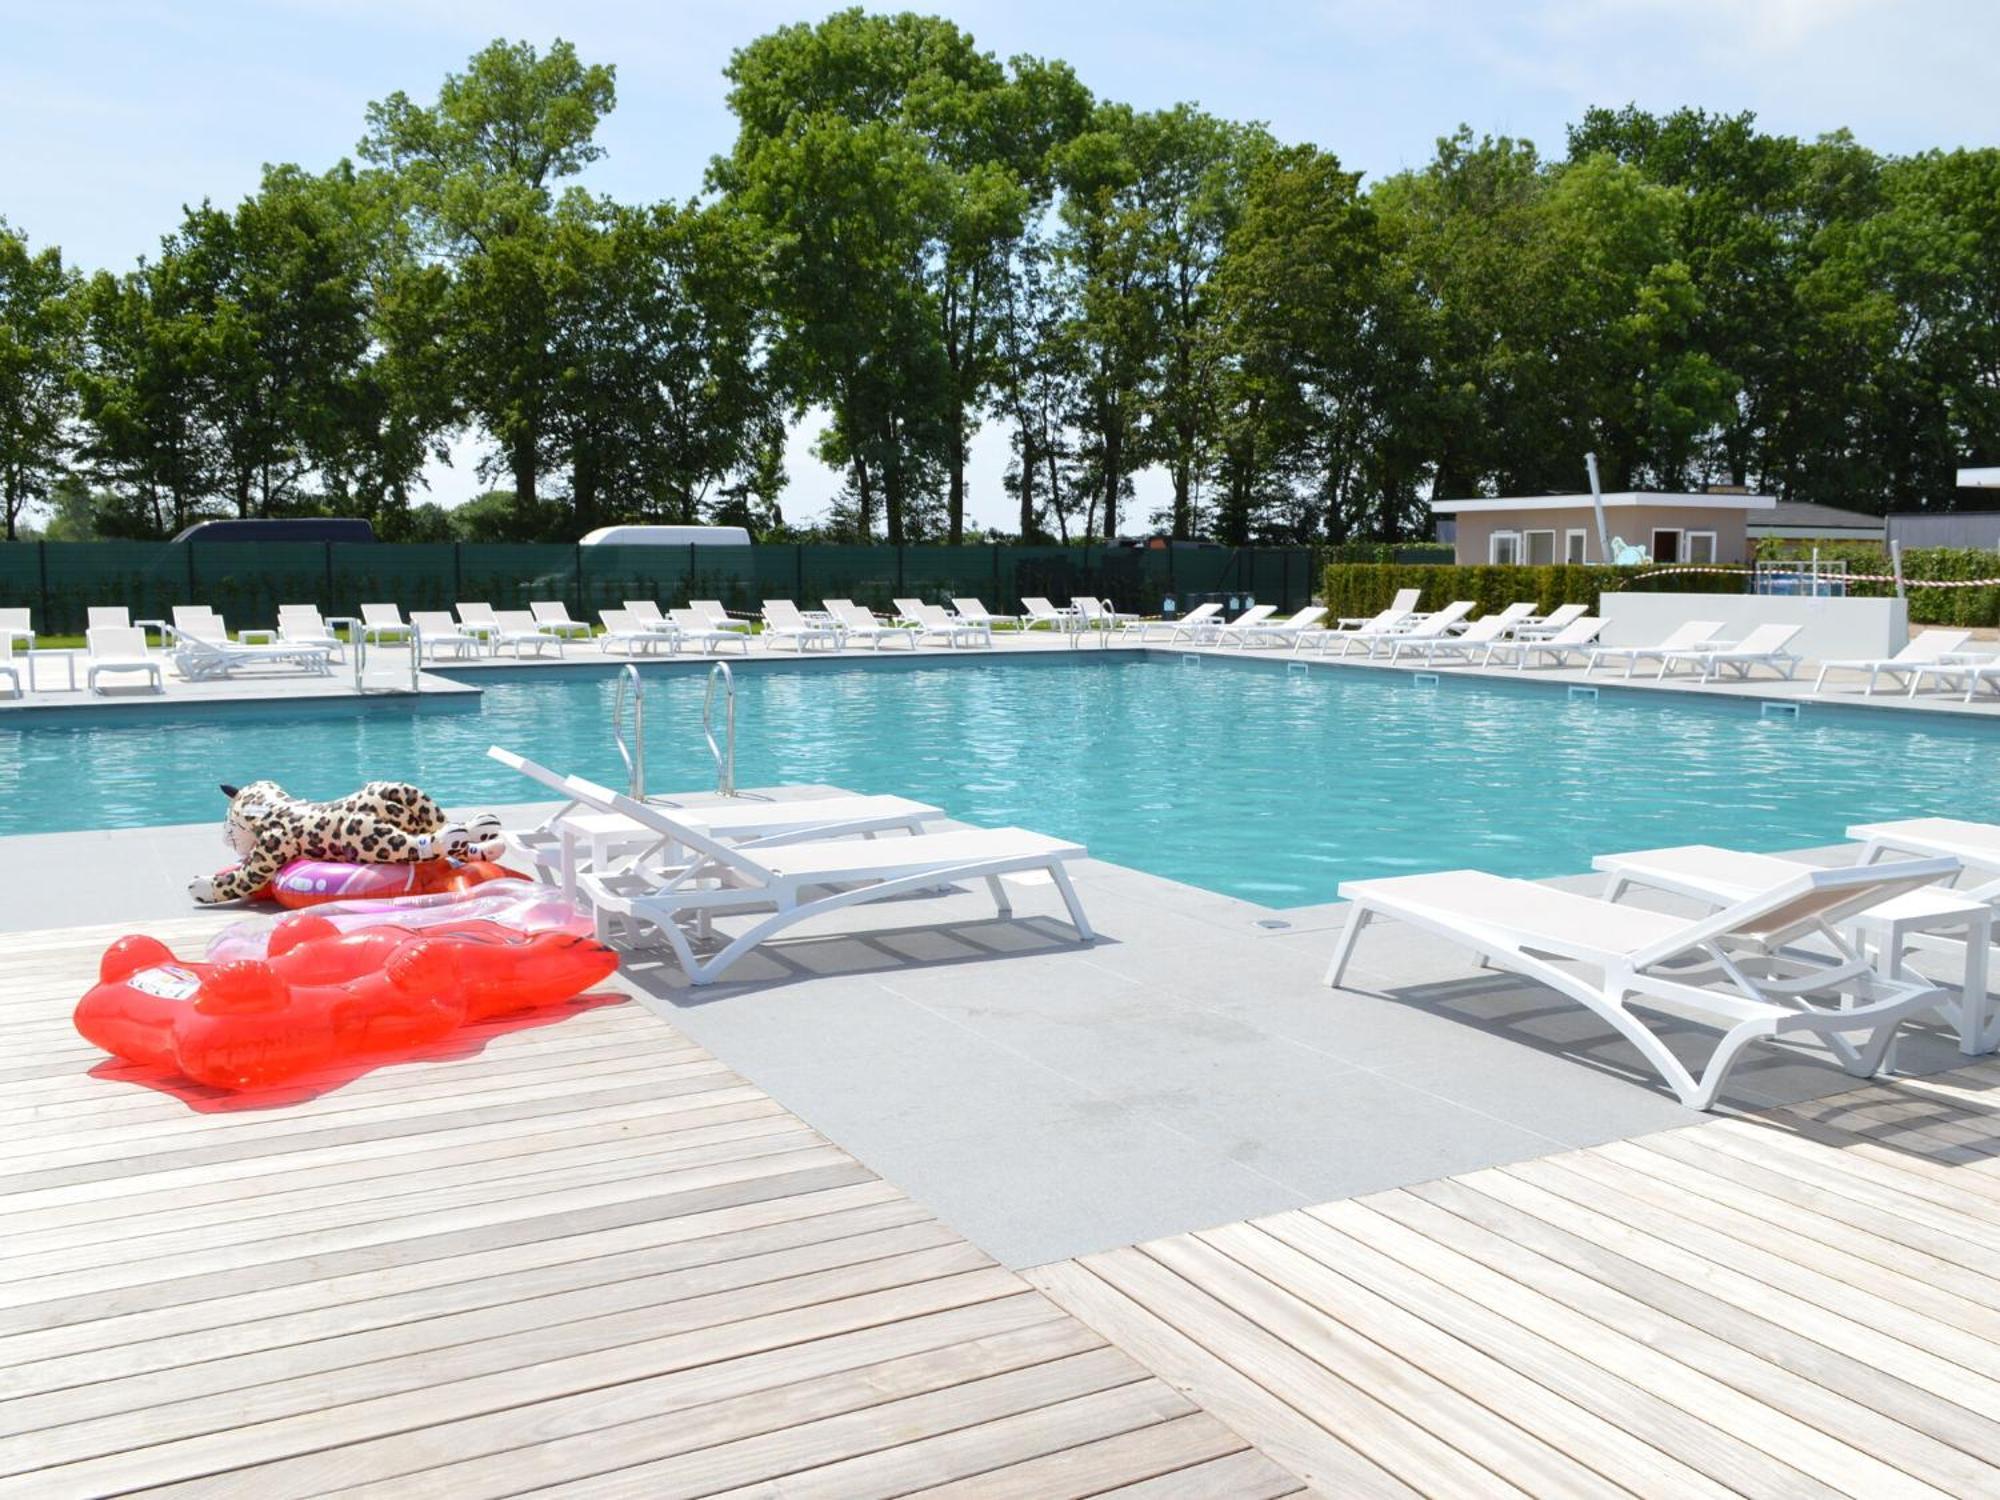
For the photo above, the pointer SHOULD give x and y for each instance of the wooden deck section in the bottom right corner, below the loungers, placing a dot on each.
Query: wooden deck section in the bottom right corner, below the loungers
(1797, 1305)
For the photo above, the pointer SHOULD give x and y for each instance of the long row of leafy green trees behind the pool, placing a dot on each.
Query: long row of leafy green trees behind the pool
(913, 237)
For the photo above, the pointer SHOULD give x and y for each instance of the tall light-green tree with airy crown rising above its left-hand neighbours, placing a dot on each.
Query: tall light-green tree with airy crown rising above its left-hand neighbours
(479, 175)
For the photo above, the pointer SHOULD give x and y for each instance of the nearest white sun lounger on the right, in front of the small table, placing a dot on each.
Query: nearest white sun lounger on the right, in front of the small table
(1735, 971)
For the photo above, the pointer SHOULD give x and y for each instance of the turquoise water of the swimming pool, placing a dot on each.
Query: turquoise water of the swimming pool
(1243, 779)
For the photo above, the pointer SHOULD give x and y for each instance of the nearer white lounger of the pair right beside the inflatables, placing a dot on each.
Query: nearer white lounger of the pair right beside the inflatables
(789, 883)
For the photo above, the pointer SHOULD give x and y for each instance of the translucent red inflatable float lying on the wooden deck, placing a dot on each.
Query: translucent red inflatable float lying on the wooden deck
(325, 995)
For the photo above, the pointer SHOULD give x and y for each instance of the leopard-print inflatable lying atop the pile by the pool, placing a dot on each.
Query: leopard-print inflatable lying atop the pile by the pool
(385, 823)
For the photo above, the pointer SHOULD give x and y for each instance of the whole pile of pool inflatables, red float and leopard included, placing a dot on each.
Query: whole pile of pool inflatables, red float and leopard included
(415, 933)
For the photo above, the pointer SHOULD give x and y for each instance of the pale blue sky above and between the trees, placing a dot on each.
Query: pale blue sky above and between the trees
(115, 113)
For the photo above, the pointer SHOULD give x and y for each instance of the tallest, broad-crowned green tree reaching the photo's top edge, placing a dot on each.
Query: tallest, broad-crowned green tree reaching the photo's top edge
(893, 167)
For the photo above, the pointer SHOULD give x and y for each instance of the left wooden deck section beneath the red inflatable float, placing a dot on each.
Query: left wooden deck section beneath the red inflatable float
(579, 1257)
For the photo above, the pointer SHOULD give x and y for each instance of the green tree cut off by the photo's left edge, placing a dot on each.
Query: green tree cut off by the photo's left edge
(39, 351)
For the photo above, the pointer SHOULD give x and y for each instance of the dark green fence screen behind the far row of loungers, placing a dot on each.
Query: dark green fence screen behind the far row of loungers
(245, 583)
